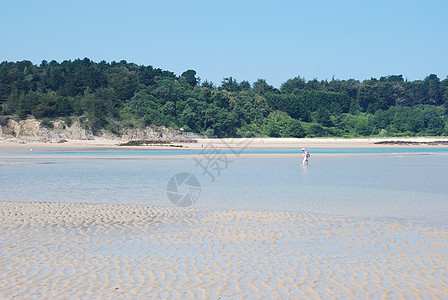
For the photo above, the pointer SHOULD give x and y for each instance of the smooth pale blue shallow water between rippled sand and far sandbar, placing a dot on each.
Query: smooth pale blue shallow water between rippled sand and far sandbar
(399, 186)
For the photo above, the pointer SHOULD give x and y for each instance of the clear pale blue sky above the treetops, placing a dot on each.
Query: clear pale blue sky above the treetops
(248, 40)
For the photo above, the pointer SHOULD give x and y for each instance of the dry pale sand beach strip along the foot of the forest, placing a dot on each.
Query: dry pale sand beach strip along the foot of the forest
(235, 144)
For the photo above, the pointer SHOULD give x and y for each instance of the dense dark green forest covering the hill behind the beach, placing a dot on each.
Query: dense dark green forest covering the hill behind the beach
(117, 95)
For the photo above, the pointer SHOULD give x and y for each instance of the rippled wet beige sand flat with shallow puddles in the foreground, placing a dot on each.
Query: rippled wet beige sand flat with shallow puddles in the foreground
(63, 250)
